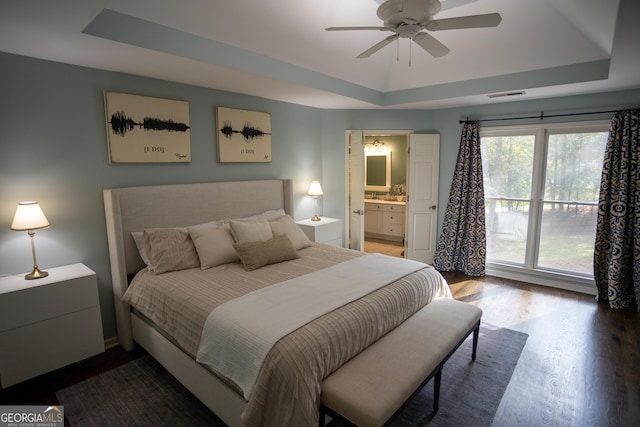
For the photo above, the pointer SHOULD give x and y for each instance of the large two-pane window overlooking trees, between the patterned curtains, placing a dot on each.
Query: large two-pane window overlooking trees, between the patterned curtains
(541, 195)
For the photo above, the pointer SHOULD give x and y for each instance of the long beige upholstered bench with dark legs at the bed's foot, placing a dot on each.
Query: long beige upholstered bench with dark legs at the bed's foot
(370, 388)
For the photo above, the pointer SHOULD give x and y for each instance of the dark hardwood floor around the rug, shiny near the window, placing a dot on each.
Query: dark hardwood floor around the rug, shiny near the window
(580, 366)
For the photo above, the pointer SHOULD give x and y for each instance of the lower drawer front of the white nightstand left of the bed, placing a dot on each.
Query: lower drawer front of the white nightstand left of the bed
(41, 347)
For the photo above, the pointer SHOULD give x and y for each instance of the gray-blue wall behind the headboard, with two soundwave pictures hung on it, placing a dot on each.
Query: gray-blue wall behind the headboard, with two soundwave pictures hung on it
(54, 150)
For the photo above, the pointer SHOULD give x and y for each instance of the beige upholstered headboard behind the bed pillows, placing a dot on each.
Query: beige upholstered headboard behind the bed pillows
(136, 208)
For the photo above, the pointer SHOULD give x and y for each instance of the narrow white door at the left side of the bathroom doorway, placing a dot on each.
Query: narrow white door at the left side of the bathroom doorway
(355, 177)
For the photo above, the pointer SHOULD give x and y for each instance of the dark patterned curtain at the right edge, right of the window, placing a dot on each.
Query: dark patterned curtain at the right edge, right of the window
(617, 246)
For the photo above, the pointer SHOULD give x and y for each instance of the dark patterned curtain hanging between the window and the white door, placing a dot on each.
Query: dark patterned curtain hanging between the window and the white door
(463, 243)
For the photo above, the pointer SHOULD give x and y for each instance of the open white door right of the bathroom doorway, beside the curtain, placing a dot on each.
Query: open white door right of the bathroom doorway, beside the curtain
(422, 200)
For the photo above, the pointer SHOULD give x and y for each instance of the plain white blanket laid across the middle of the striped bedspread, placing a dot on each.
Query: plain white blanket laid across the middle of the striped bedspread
(238, 334)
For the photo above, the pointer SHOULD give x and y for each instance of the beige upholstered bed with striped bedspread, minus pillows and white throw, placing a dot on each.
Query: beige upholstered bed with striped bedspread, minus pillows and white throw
(178, 303)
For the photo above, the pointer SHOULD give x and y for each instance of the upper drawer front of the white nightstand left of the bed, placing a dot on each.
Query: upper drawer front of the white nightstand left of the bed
(43, 302)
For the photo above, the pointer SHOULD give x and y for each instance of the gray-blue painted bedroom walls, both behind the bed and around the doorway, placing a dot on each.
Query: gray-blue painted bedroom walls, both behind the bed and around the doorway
(54, 150)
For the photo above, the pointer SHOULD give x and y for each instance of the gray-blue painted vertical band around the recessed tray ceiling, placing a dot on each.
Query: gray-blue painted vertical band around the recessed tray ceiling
(123, 28)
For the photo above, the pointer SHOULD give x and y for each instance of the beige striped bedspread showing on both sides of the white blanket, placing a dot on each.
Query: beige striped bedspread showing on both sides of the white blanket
(287, 389)
